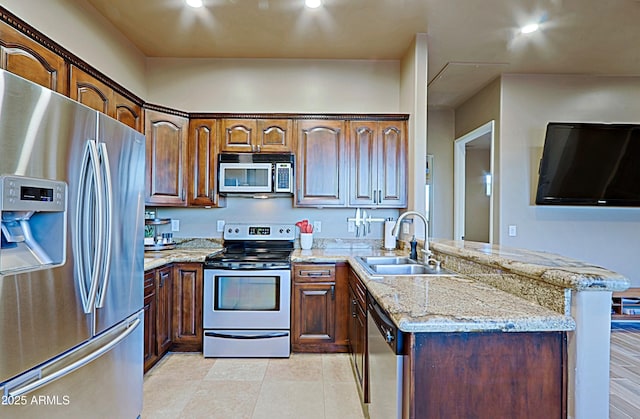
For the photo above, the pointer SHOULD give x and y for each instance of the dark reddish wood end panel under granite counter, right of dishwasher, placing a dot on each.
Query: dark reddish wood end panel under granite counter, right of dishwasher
(485, 375)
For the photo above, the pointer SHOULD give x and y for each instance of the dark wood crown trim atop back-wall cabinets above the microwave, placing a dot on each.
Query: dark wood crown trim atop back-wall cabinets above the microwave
(301, 116)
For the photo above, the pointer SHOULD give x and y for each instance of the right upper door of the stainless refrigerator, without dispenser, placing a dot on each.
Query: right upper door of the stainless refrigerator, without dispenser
(120, 292)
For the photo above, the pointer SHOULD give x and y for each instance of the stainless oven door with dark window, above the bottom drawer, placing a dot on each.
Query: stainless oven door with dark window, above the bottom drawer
(247, 299)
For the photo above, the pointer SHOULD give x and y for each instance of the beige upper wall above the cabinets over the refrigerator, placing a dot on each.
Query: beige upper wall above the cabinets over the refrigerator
(78, 28)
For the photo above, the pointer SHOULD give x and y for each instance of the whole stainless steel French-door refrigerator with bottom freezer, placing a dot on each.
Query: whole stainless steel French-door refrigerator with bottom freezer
(71, 260)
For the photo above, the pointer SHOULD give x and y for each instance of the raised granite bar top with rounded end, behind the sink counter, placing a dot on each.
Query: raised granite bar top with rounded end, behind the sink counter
(554, 269)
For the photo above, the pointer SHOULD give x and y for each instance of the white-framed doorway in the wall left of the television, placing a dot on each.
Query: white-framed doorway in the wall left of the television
(473, 185)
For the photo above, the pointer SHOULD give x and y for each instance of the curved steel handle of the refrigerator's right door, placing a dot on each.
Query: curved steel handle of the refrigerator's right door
(108, 223)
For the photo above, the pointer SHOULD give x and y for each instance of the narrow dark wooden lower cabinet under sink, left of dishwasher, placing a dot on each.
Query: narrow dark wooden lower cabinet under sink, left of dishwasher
(358, 334)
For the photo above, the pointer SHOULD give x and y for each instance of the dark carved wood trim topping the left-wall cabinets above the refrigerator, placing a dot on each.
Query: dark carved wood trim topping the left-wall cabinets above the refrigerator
(28, 30)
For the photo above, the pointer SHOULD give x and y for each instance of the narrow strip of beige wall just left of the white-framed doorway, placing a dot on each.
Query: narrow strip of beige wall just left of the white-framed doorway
(441, 136)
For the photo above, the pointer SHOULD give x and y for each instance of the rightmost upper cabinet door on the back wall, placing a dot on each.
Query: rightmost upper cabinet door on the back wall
(392, 165)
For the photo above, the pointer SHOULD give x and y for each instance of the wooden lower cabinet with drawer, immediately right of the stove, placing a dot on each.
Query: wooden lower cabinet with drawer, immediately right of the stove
(319, 308)
